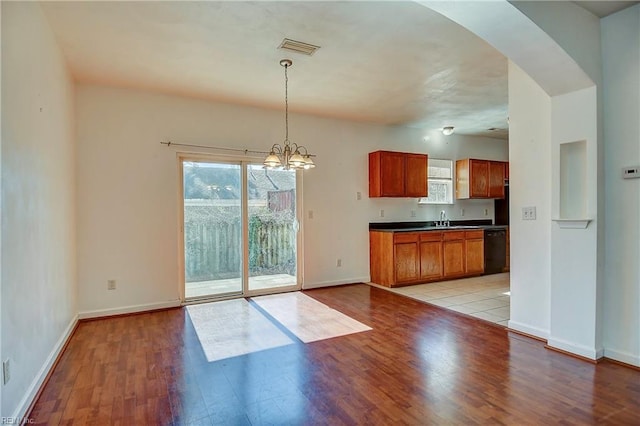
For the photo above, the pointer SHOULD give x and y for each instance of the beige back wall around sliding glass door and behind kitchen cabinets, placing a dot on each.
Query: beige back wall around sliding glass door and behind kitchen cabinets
(128, 184)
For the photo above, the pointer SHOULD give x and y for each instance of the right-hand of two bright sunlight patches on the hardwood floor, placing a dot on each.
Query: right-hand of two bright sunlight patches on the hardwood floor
(307, 318)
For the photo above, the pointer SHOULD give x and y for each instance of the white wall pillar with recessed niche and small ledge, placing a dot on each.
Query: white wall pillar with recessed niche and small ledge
(574, 270)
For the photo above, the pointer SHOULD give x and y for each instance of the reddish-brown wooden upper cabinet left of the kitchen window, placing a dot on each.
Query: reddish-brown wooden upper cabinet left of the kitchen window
(397, 174)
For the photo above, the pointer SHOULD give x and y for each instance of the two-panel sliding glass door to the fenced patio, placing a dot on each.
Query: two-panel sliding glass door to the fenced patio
(240, 229)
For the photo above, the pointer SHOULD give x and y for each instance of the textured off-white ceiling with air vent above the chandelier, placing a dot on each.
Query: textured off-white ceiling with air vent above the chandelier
(383, 62)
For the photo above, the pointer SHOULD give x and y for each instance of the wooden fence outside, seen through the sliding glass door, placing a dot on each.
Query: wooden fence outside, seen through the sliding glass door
(213, 250)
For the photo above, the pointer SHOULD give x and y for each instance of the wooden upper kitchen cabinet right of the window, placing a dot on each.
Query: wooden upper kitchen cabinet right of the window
(480, 178)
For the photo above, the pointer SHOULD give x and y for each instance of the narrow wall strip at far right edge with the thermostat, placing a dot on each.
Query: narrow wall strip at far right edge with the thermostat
(621, 59)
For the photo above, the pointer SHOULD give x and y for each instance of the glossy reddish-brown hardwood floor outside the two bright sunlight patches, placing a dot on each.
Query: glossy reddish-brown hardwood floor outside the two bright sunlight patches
(420, 364)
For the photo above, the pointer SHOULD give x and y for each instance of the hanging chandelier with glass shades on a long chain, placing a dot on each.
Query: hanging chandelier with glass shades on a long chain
(288, 156)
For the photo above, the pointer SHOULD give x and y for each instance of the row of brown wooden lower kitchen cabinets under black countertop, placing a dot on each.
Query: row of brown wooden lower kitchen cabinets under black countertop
(402, 258)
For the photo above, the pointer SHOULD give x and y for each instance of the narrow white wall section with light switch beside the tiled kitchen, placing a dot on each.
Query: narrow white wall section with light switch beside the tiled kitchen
(529, 186)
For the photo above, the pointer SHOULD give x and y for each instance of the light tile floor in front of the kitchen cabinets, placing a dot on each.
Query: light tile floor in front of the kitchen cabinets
(485, 297)
